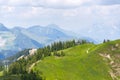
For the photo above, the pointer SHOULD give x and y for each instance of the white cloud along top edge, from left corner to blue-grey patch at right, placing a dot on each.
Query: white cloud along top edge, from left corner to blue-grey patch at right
(46, 3)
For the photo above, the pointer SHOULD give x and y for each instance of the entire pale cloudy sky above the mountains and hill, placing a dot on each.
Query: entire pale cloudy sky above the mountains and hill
(98, 19)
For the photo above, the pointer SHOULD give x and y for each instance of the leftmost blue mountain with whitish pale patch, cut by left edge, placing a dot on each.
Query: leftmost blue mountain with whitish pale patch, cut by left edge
(7, 38)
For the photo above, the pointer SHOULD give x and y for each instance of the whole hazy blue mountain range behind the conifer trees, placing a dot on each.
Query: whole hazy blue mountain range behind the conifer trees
(18, 38)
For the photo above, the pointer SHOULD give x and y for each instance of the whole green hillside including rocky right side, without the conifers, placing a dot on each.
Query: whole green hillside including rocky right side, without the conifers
(83, 62)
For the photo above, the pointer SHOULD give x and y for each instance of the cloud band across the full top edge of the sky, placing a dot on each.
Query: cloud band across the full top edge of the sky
(57, 3)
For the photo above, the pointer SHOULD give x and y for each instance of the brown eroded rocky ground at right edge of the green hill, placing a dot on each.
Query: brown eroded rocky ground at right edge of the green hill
(113, 60)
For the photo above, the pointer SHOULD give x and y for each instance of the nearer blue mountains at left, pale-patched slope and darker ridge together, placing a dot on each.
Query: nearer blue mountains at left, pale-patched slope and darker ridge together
(13, 41)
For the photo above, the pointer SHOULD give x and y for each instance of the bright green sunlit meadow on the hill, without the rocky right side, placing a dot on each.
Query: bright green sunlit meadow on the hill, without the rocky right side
(78, 64)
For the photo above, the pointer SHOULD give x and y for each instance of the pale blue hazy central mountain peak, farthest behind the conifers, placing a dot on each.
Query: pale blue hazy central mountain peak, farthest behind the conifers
(49, 34)
